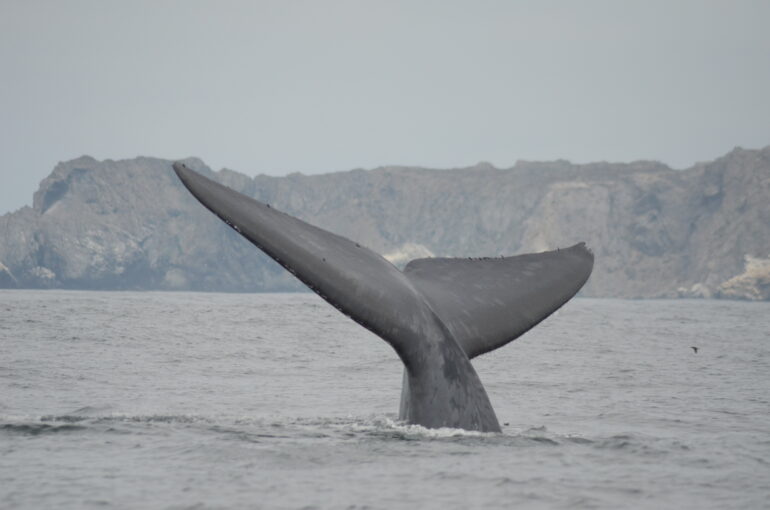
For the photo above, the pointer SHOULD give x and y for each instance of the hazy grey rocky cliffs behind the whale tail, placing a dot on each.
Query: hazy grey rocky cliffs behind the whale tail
(656, 232)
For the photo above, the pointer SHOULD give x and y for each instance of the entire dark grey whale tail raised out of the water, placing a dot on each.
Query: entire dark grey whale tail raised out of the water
(437, 314)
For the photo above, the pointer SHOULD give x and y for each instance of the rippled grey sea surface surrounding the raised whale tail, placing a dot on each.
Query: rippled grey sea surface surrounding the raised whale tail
(195, 400)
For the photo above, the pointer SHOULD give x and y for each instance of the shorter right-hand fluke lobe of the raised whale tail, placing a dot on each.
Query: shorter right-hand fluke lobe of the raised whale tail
(488, 302)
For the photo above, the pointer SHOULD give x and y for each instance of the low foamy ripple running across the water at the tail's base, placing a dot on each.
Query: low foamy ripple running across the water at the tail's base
(367, 428)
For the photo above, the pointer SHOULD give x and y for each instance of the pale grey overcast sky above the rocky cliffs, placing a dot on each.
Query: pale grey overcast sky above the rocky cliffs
(280, 87)
